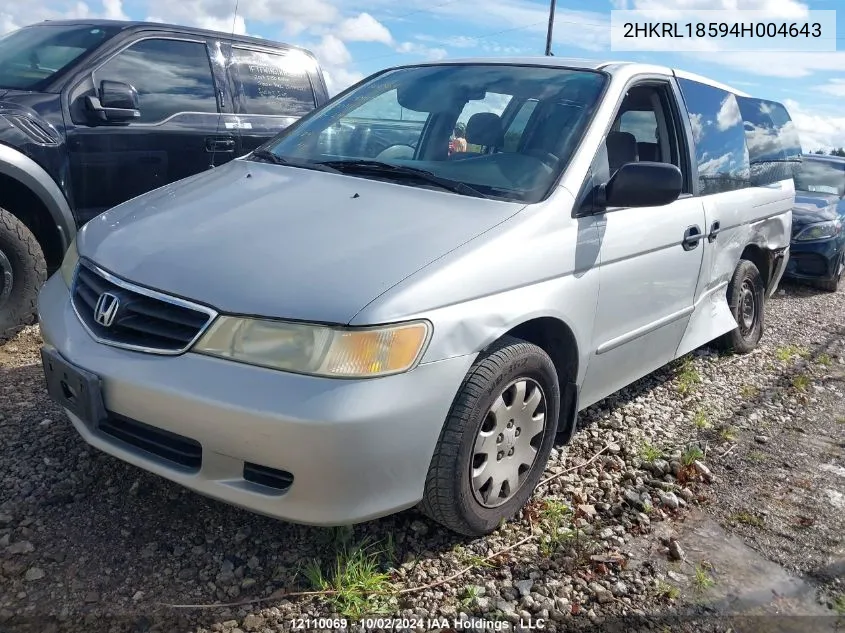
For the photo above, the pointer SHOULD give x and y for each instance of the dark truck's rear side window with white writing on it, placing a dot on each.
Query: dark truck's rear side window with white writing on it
(273, 83)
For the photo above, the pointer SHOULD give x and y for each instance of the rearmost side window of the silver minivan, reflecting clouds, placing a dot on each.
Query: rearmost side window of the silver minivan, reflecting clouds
(774, 149)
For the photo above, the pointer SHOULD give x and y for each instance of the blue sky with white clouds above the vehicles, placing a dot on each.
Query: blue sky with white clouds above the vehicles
(353, 38)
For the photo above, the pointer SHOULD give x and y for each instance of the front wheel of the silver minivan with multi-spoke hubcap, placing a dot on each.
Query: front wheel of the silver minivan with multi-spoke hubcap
(450, 496)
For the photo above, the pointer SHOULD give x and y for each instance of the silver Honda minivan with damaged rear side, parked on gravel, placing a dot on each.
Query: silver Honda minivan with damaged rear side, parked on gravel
(407, 297)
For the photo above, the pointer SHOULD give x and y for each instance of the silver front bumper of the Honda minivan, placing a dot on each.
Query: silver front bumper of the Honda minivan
(357, 449)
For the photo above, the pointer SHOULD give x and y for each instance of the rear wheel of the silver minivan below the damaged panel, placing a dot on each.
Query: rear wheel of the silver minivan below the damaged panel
(746, 284)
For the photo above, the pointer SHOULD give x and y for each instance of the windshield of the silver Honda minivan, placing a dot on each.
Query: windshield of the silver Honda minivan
(500, 131)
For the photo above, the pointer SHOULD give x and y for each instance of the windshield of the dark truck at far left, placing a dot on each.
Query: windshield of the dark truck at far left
(31, 56)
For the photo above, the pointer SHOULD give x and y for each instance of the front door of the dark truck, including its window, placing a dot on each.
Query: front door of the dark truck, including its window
(178, 134)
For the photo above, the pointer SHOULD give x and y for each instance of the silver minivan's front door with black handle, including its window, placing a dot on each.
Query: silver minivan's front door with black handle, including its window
(650, 258)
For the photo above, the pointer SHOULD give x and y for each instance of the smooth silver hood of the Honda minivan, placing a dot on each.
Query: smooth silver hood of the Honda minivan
(269, 240)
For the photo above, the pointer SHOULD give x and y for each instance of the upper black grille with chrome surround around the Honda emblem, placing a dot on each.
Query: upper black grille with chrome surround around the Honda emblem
(144, 320)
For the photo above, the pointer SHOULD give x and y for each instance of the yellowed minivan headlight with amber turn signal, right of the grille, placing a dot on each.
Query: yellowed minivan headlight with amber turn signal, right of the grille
(317, 350)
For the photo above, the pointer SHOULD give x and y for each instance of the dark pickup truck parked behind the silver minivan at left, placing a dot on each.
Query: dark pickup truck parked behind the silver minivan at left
(95, 112)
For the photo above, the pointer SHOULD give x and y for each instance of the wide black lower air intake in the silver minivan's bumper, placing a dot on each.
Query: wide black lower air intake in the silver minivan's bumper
(177, 449)
